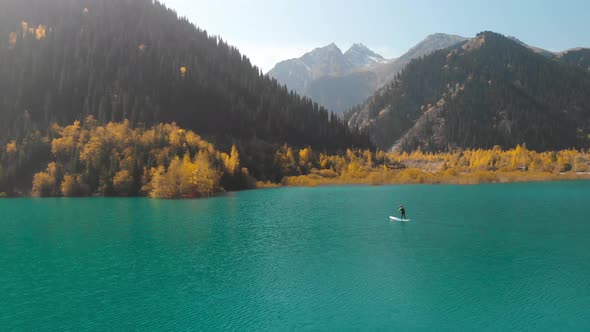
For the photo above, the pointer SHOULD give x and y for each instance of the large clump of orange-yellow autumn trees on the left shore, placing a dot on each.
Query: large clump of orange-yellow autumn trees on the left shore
(163, 161)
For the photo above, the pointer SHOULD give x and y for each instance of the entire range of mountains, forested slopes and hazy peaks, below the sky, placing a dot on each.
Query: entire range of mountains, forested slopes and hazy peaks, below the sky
(136, 60)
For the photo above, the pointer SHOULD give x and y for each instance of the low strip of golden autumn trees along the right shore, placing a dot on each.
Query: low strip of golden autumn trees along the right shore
(459, 167)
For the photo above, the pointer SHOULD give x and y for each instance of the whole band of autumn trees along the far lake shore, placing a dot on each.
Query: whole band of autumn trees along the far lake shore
(165, 161)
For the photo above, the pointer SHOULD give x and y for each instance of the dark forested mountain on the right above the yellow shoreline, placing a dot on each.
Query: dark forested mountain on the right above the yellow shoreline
(488, 91)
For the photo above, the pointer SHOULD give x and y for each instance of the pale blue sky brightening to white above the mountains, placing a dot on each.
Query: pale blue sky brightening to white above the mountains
(268, 31)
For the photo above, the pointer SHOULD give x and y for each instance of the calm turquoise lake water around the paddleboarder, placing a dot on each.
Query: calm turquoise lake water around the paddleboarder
(486, 257)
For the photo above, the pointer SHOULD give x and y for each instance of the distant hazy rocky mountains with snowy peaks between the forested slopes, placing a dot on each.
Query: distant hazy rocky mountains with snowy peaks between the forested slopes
(339, 81)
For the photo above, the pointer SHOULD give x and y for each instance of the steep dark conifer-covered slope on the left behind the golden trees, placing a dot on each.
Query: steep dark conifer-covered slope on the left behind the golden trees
(136, 60)
